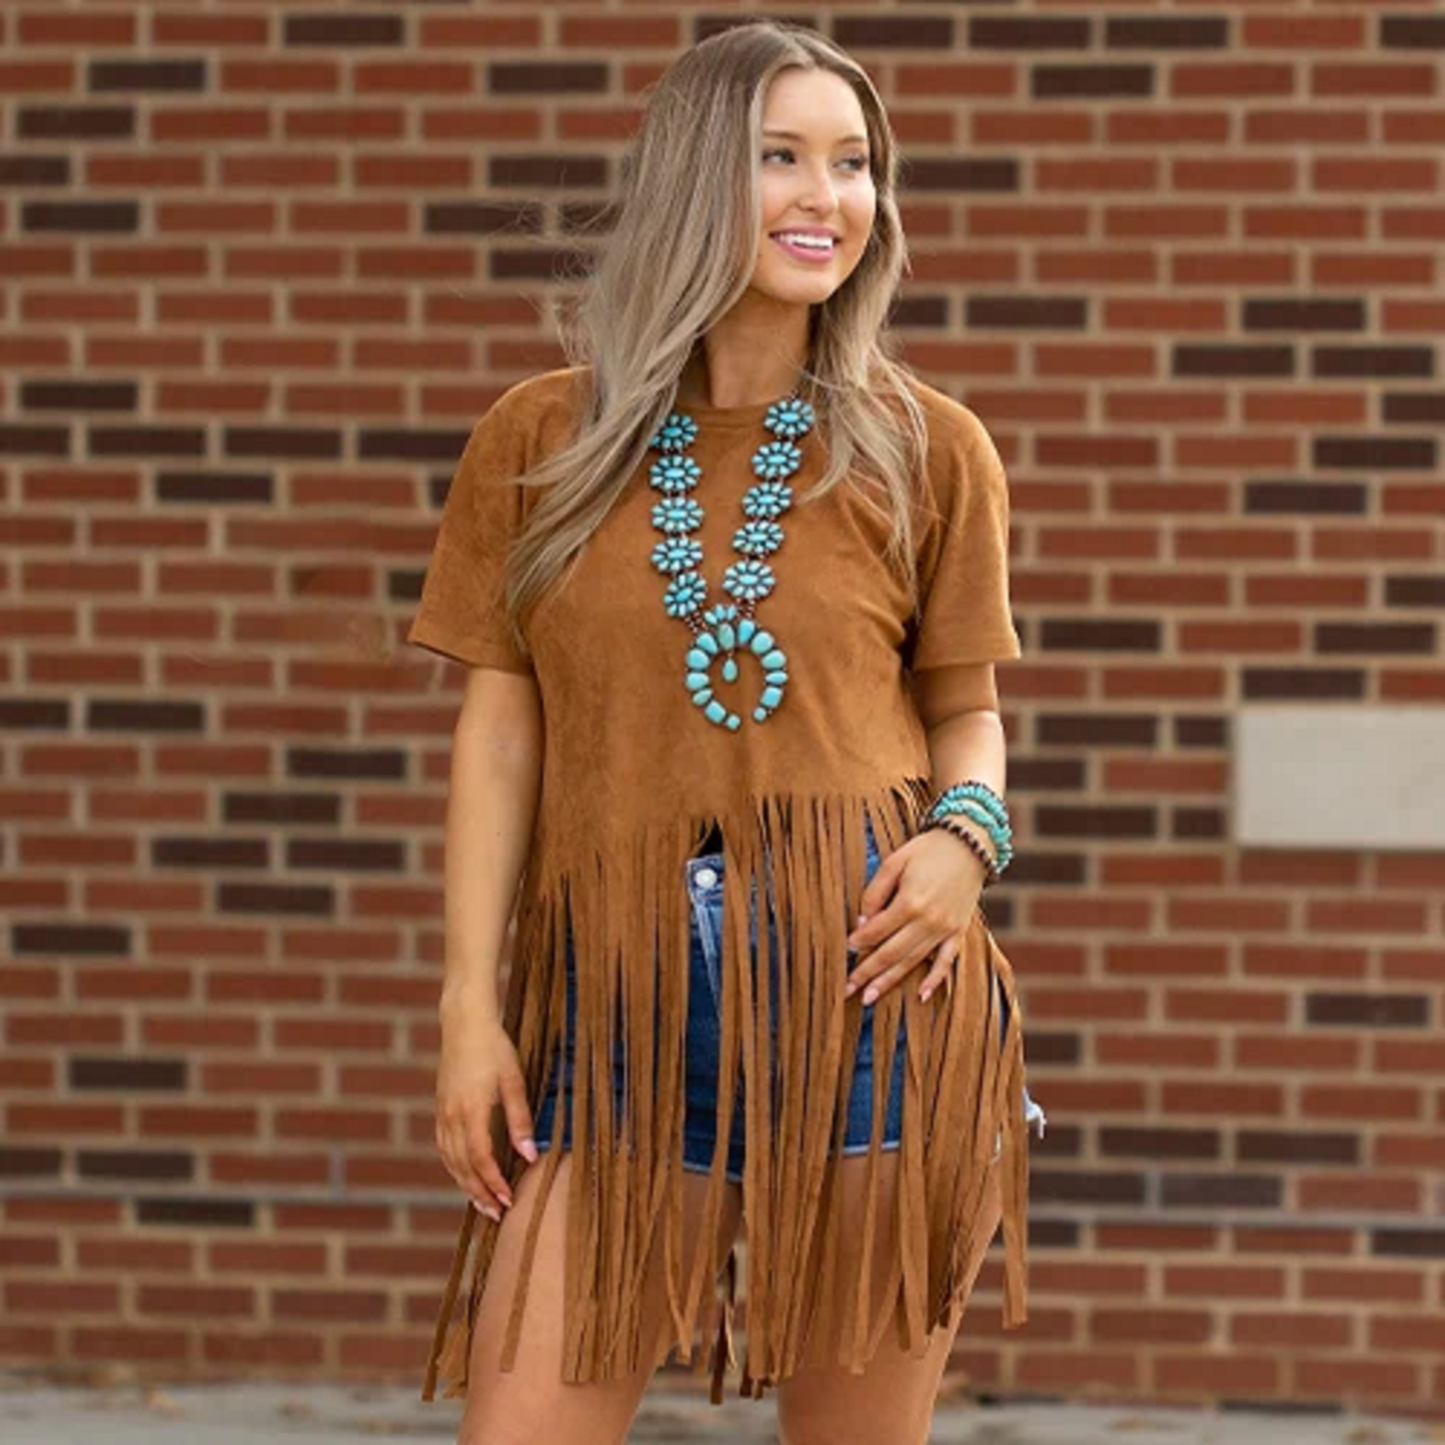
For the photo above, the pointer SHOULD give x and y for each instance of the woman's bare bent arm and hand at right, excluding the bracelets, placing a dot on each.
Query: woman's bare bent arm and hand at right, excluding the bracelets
(923, 897)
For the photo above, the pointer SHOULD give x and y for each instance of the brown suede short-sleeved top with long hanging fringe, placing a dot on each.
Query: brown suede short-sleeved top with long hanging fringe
(634, 778)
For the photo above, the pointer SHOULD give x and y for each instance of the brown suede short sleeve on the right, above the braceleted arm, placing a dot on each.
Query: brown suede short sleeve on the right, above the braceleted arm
(965, 560)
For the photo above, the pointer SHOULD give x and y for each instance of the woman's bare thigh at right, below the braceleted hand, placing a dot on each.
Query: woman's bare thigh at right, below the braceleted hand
(894, 1398)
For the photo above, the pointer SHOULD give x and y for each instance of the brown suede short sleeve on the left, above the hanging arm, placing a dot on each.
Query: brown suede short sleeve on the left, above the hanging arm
(462, 612)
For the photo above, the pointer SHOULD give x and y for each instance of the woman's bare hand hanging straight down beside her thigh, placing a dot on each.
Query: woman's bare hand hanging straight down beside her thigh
(479, 1067)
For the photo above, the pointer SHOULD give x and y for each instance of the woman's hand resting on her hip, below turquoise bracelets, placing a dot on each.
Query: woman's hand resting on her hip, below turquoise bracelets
(936, 881)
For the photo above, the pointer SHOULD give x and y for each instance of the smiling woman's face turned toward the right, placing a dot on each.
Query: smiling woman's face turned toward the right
(817, 180)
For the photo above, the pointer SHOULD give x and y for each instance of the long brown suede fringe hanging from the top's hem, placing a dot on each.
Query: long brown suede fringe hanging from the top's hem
(807, 1291)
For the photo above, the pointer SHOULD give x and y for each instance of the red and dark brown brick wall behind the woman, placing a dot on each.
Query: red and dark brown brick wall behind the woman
(262, 268)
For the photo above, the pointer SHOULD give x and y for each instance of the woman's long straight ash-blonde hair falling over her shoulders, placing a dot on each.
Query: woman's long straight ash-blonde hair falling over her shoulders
(680, 255)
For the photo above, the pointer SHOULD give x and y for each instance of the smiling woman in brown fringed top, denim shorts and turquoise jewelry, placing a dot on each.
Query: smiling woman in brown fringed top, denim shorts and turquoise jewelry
(707, 712)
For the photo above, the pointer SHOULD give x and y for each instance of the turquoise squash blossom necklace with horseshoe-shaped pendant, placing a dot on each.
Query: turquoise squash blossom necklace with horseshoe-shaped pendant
(720, 632)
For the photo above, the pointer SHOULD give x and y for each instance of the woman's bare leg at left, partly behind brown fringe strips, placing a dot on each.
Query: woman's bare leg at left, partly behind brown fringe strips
(530, 1402)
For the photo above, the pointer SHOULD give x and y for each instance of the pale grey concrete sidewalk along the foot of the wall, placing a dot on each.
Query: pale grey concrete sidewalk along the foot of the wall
(37, 1412)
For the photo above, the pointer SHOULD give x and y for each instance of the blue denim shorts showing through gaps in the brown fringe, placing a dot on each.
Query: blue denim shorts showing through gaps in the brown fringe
(704, 1037)
